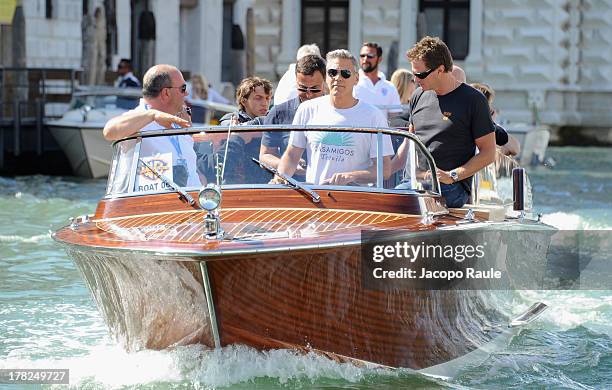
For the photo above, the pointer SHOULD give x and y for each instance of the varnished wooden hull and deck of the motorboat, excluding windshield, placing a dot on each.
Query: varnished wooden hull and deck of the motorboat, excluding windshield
(290, 278)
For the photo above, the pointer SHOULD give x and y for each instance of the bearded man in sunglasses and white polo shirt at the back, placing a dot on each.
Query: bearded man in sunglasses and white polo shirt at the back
(373, 87)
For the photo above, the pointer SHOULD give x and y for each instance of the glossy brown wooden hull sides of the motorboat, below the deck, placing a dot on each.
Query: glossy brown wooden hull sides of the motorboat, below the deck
(311, 300)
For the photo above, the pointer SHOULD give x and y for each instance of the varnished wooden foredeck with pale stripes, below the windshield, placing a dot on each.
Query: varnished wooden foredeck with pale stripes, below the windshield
(277, 219)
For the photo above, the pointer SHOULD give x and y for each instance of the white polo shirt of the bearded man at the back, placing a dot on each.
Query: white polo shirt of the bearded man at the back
(383, 93)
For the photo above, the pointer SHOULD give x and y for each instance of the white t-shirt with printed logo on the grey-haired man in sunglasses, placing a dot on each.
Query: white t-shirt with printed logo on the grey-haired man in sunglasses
(331, 152)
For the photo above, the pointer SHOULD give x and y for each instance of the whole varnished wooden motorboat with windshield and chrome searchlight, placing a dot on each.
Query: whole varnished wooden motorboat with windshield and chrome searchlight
(279, 266)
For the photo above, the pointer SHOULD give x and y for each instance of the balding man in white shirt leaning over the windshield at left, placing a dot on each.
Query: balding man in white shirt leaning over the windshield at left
(162, 107)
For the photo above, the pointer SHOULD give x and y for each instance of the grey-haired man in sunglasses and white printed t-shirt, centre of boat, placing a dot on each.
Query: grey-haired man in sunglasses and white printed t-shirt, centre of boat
(337, 157)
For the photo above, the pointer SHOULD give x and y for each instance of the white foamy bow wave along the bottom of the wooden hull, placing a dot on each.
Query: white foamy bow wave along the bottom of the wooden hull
(111, 366)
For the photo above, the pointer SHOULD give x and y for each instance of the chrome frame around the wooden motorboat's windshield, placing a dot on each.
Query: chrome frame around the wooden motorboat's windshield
(435, 191)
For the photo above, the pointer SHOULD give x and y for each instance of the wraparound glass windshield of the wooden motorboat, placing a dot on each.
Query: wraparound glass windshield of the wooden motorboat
(315, 157)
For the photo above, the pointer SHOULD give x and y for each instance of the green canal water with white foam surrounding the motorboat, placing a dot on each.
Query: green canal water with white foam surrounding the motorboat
(49, 320)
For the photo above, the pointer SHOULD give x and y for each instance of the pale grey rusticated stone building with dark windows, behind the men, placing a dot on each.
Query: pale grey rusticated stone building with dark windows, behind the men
(547, 60)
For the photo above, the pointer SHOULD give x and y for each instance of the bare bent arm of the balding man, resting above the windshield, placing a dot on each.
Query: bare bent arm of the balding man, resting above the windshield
(127, 124)
